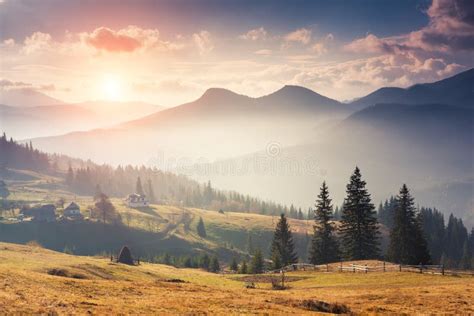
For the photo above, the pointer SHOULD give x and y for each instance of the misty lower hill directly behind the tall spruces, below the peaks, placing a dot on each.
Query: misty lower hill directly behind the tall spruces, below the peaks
(428, 147)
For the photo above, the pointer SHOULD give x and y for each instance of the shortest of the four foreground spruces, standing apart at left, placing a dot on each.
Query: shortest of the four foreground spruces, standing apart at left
(282, 244)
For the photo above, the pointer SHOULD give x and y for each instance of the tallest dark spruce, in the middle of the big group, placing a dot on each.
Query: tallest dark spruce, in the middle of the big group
(359, 230)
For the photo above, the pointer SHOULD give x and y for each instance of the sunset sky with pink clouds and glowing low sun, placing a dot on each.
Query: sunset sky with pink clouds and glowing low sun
(170, 52)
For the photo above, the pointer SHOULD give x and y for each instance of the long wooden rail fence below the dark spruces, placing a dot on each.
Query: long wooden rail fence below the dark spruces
(384, 267)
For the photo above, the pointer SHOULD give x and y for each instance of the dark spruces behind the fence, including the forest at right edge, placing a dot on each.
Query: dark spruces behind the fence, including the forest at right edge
(417, 236)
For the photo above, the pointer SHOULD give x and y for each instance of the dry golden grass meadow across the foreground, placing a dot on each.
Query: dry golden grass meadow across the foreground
(96, 285)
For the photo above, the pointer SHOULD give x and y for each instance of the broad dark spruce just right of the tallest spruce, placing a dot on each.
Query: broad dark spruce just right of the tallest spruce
(407, 242)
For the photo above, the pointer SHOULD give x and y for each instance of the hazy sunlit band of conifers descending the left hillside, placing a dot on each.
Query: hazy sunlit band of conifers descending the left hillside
(83, 177)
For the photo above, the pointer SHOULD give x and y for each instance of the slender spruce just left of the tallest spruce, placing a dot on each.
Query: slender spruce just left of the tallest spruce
(324, 247)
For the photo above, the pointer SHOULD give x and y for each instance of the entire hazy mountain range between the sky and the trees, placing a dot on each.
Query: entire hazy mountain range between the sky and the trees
(421, 135)
